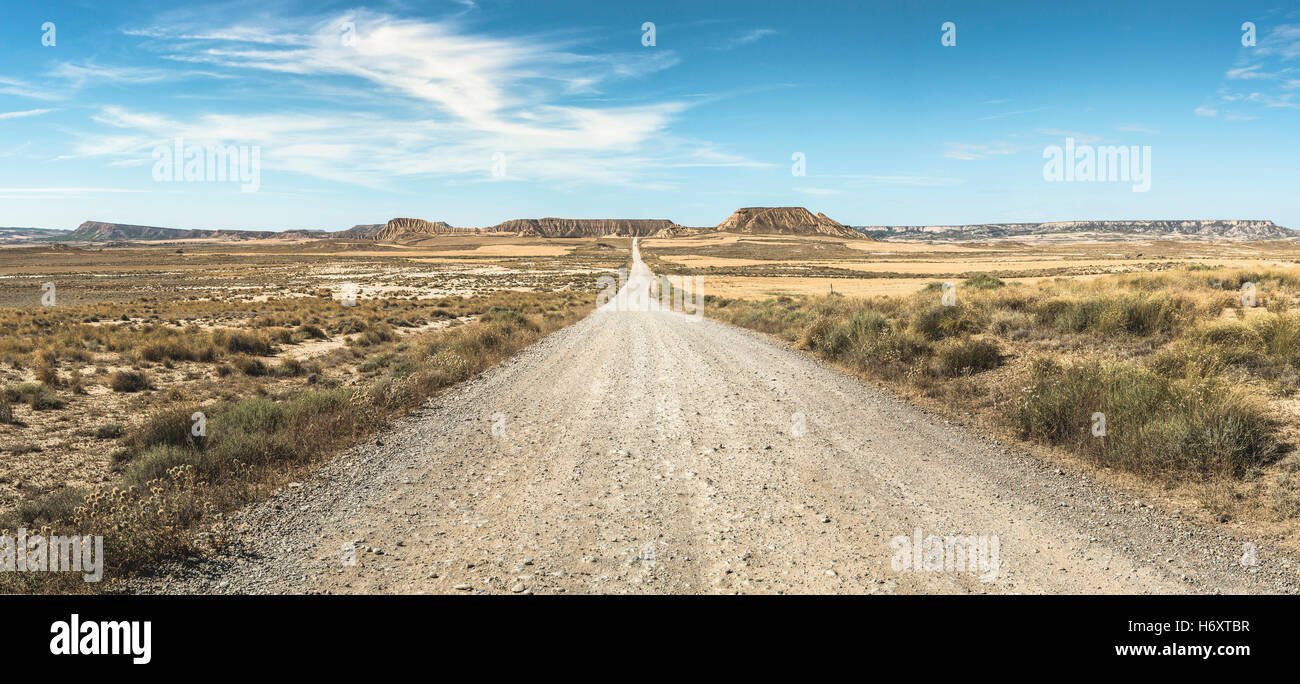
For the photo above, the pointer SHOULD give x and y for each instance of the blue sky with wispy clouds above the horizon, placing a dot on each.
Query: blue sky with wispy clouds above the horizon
(476, 112)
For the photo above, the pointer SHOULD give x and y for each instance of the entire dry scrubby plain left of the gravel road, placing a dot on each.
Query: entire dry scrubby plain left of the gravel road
(99, 391)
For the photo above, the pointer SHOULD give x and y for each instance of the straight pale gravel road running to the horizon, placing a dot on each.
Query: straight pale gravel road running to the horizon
(655, 452)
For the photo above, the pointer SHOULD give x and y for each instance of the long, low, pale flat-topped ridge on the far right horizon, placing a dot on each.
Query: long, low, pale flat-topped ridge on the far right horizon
(1102, 231)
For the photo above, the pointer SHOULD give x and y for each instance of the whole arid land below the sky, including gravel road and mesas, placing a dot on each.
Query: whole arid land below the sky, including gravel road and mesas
(171, 383)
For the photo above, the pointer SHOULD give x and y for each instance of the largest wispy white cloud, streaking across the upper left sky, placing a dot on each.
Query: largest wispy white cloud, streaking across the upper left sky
(452, 103)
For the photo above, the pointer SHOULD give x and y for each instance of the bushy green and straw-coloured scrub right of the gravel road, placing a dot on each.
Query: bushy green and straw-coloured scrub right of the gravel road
(1193, 388)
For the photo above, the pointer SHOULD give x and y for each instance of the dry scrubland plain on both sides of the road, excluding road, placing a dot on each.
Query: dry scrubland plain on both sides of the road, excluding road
(141, 336)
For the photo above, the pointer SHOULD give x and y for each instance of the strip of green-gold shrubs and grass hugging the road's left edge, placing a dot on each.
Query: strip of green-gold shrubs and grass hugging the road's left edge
(172, 486)
